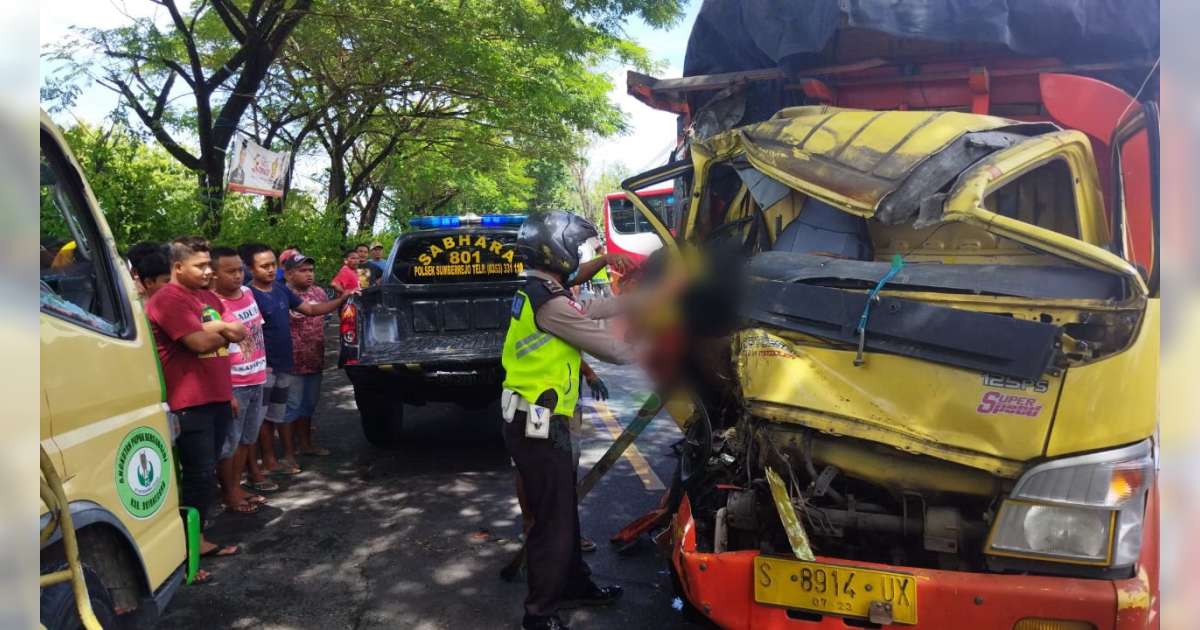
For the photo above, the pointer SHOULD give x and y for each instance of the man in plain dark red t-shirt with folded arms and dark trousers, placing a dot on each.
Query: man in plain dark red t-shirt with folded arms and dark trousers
(193, 344)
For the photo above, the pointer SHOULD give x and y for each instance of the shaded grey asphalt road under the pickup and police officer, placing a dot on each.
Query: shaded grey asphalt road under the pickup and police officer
(416, 537)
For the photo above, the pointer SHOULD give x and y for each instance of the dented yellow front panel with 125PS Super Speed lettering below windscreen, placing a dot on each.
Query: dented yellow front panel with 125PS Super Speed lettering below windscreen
(913, 405)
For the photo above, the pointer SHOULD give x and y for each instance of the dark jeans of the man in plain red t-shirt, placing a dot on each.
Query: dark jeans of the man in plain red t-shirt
(202, 433)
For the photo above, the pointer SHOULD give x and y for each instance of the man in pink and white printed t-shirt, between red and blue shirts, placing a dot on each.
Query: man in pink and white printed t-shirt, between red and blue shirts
(248, 370)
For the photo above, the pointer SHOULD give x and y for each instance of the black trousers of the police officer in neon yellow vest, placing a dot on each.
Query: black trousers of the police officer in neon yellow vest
(556, 568)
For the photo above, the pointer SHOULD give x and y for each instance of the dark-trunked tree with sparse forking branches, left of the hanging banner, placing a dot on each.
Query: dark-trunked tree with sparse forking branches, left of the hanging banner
(219, 50)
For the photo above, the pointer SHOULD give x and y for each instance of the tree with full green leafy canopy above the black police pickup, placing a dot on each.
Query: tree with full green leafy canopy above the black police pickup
(397, 81)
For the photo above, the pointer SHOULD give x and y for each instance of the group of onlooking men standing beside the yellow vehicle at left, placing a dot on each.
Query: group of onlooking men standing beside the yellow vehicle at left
(241, 339)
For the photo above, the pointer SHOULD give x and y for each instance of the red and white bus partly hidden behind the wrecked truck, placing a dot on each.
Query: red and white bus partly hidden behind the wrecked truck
(628, 232)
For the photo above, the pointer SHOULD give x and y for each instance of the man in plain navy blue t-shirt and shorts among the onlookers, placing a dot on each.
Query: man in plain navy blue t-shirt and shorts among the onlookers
(275, 301)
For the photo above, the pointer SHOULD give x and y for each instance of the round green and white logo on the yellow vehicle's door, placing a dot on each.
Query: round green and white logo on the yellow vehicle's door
(142, 475)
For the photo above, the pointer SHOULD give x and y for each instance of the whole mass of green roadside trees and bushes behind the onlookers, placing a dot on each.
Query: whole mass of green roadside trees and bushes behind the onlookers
(422, 106)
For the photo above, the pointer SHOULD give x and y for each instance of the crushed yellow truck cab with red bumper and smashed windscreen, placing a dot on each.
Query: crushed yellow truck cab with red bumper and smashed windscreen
(941, 356)
